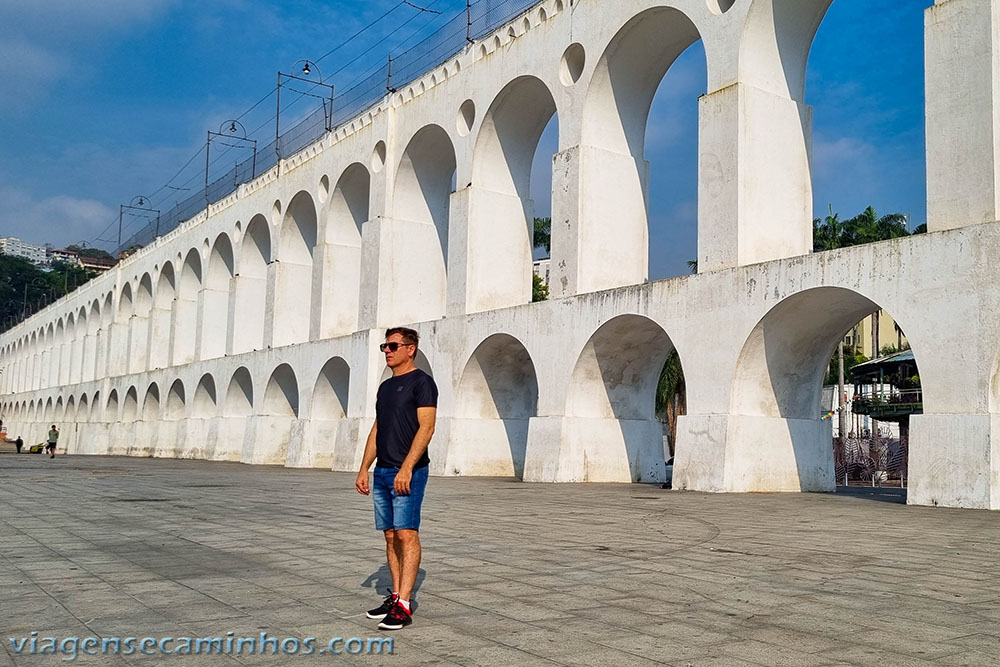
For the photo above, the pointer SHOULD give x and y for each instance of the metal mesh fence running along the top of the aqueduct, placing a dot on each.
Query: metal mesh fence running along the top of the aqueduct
(482, 18)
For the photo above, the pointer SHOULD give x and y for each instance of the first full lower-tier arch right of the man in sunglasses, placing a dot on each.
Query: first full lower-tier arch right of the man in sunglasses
(498, 391)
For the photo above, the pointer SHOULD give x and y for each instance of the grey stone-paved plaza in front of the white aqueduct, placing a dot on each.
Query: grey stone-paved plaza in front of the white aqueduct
(513, 573)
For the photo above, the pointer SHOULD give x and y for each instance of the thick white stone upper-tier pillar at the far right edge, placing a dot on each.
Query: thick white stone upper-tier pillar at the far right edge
(962, 67)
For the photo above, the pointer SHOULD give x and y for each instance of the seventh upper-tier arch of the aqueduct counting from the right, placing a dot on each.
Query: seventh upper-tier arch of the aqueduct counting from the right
(251, 286)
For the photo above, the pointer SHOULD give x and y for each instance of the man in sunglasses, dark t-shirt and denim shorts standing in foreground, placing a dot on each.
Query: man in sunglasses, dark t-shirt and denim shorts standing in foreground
(405, 410)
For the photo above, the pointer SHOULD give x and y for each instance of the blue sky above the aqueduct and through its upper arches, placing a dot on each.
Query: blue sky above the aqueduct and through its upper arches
(107, 99)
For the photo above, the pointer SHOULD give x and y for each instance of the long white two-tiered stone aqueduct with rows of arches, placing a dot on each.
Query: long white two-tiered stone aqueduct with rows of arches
(249, 333)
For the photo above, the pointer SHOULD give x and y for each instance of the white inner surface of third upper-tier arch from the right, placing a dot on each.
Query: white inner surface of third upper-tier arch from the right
(501, 243)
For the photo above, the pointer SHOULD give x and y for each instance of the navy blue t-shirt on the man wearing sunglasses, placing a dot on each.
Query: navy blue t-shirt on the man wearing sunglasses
(396, 416)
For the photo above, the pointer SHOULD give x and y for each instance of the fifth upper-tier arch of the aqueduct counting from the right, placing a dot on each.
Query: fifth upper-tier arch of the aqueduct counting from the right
(346, 212)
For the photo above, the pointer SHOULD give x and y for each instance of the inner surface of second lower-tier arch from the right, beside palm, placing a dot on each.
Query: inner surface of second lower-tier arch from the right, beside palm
(611, 401)
